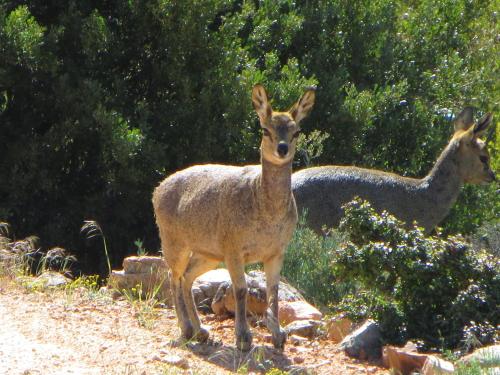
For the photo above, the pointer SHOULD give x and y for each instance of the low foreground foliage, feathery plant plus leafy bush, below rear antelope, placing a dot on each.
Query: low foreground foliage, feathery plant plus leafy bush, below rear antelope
(442, 292)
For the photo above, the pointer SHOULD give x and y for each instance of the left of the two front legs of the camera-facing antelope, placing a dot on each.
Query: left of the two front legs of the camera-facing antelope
(236, 269)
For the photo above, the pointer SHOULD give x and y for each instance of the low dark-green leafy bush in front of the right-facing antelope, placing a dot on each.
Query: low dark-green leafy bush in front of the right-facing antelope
(432, 289)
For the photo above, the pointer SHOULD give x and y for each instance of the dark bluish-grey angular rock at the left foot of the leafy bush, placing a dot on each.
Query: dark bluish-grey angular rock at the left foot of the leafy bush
(364, 343)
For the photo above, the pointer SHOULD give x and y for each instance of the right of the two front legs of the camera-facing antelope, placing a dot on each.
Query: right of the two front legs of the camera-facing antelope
(272, 269)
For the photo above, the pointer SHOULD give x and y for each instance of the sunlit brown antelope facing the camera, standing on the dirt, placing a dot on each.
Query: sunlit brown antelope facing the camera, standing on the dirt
(209, 214)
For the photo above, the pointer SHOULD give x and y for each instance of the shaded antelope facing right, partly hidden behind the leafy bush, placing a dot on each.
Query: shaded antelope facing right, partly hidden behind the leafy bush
(323, 190)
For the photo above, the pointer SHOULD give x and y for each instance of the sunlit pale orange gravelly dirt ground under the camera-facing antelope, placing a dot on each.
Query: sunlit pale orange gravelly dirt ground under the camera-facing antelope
(88, 333)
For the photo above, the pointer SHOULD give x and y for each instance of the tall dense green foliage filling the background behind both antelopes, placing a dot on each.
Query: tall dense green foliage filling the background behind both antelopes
(99, 100)
